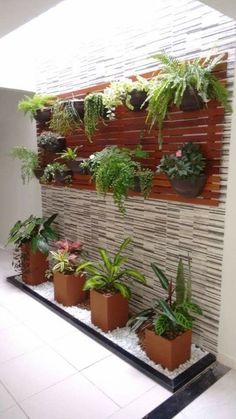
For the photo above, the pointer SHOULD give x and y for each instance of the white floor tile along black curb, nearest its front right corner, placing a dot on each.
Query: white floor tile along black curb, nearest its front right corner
(121, 382)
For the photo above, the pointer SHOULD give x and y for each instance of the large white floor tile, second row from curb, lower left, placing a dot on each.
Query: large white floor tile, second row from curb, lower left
(30, 373)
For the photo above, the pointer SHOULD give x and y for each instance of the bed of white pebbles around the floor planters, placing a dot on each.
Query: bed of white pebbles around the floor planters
(123, 337)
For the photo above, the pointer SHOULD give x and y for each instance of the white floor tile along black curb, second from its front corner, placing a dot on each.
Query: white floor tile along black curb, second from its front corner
(80, 350)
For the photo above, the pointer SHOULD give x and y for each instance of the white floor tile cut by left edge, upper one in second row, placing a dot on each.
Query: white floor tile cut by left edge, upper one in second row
(16, 341)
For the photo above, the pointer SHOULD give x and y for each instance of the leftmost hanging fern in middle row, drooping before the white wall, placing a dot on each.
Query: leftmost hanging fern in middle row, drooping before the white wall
(30, 167)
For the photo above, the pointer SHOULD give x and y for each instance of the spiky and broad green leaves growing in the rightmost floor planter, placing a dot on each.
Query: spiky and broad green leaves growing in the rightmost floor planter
(170, 316)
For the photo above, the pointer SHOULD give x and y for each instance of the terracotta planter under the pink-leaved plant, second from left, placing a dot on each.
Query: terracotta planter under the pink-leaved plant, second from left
(68, 289)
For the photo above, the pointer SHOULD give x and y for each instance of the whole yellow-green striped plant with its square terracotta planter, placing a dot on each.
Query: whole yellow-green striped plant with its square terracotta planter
(109, 292)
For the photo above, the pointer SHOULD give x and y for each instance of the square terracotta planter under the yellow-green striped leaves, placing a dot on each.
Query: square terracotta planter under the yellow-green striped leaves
(108, 311)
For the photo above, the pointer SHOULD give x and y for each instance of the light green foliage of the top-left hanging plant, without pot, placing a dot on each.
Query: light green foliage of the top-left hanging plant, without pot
(35, 103)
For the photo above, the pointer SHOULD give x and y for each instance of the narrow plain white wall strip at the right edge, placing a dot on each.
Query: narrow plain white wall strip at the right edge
(227, 334)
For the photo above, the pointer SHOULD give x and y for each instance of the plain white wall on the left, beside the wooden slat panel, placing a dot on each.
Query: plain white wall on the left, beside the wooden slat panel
(17, 201)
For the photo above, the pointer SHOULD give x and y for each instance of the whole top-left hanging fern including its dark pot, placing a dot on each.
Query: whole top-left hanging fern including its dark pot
(38, 107)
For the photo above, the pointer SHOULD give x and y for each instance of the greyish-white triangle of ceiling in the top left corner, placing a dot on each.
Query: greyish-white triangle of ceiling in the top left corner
(14, 13)
